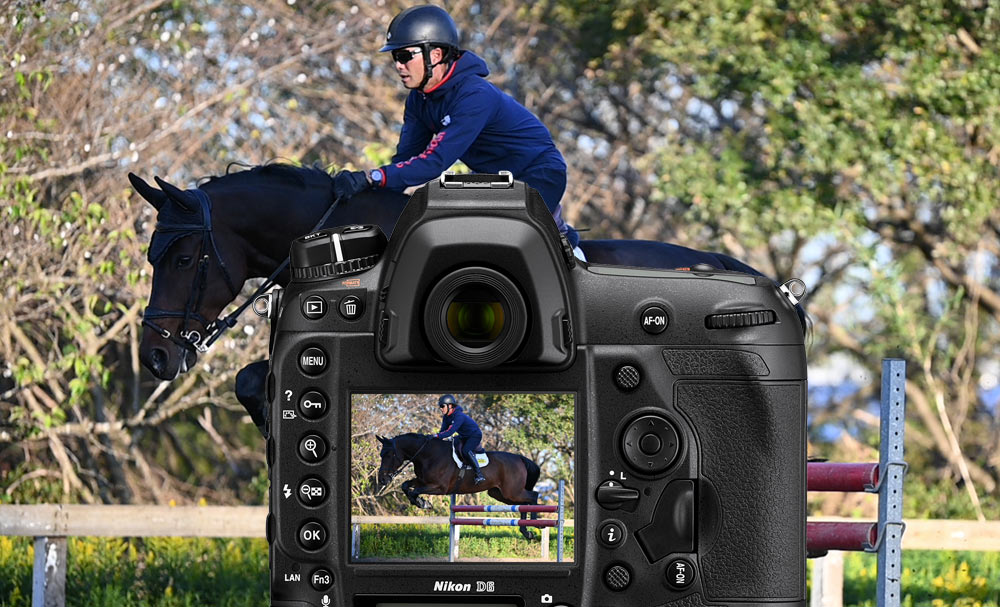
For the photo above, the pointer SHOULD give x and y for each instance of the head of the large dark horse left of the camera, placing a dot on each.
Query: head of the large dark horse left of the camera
(197, 271)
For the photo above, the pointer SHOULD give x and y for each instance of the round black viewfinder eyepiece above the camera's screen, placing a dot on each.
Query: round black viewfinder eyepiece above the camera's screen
(475, 318)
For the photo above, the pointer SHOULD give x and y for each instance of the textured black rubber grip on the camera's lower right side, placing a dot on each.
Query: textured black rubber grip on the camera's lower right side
(751, 438)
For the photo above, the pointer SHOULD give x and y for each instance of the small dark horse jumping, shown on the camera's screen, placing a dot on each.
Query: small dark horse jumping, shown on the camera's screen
(510, 478)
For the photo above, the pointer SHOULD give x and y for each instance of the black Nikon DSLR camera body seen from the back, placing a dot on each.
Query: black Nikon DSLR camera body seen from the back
(688, 478)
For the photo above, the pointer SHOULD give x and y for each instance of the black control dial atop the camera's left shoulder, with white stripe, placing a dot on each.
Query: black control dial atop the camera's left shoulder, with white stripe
(336, 252)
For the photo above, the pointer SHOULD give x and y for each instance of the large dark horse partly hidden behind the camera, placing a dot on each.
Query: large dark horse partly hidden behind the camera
(209, 240)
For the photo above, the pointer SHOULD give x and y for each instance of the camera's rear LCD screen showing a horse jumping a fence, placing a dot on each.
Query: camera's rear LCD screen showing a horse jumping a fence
(462, 477)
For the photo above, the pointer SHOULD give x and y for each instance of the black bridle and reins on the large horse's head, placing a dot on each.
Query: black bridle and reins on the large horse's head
(192, 340)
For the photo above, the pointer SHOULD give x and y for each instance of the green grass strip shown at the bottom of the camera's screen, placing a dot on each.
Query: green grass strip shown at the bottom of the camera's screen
(407, 541)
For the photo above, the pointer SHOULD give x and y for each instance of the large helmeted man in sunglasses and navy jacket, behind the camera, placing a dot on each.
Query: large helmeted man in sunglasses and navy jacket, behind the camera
(453, 113)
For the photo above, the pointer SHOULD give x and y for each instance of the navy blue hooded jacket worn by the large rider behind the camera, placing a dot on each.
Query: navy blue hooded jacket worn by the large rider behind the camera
(467, 118)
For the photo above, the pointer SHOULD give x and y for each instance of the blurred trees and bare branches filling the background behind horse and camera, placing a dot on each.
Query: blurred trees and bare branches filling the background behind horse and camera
(853, 144)
